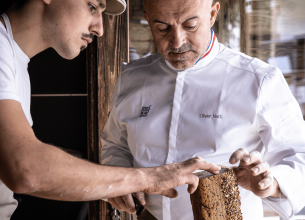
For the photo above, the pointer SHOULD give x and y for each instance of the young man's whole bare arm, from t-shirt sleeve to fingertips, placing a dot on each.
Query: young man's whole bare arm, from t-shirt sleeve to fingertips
(31, 167)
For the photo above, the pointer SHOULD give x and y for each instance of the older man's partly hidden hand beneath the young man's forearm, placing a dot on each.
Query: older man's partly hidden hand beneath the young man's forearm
(126, 203)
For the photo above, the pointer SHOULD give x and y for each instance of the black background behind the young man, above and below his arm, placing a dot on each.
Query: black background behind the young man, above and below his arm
(61, 121)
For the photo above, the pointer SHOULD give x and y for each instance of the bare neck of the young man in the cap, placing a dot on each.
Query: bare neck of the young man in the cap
(27, 27)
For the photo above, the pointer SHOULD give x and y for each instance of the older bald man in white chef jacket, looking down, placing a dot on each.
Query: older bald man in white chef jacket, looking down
(198, 98)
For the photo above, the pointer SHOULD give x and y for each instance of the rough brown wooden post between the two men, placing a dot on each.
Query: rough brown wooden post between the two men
(113, 50)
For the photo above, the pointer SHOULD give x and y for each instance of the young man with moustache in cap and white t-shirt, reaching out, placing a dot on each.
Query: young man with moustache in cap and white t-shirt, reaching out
(31, 167)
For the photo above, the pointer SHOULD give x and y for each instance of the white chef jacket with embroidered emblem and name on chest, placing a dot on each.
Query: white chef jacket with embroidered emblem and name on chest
(160, 115)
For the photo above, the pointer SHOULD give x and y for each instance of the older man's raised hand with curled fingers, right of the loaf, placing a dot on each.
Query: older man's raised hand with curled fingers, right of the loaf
(253, 174)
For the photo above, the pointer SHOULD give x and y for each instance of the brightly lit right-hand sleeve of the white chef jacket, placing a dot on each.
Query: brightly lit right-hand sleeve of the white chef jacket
(282, 130)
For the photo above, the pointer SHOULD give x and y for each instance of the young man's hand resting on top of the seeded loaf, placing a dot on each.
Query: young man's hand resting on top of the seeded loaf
(161, 180)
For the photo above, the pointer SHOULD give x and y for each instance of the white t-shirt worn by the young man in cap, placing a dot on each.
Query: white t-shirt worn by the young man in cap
(14, 85)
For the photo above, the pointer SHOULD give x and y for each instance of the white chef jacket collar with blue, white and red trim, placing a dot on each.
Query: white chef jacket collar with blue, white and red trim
(209, 55)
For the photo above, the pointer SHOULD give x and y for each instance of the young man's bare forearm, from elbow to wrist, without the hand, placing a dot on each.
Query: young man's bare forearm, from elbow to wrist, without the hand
(51, 173)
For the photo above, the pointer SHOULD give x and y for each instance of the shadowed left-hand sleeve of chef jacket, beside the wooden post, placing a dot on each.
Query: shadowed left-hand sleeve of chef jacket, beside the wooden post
(115, 150)
